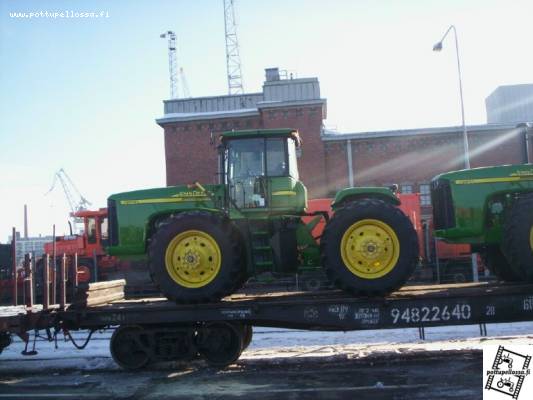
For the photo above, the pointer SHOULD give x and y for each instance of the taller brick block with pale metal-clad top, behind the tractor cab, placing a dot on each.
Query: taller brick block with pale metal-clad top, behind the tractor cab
(283, 103)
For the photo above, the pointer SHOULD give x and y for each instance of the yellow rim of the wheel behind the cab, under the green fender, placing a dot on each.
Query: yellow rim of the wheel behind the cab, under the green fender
(370, 249)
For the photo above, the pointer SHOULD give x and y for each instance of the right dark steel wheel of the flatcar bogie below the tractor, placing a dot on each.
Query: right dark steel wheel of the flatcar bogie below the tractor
(221, 343)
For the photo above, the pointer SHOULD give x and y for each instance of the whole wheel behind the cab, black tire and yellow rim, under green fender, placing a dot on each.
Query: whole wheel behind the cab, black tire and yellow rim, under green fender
(342, 225)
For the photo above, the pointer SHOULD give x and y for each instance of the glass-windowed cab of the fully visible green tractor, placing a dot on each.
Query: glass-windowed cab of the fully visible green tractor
(260, 171)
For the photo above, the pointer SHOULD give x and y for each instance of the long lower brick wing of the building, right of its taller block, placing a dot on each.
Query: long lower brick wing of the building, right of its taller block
(410, 158)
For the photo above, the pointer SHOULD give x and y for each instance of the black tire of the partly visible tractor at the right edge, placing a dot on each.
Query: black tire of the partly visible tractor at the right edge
(517, 244)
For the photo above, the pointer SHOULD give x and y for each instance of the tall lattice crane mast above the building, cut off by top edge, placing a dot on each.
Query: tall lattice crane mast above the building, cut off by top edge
(233, 58)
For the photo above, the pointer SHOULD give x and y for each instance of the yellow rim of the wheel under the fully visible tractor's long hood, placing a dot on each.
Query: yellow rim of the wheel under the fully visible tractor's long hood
(193, 259)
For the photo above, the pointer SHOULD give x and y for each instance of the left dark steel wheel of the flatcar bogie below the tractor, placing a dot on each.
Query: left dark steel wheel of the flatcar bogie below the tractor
(129, 347)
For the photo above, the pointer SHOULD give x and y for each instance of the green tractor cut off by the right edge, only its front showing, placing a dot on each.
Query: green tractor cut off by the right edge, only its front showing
(492, 209)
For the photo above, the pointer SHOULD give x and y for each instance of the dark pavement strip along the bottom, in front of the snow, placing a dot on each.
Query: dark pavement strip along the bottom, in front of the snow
(417, 375)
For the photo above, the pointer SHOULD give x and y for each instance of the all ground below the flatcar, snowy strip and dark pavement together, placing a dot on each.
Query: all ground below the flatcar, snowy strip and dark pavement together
(279, 364)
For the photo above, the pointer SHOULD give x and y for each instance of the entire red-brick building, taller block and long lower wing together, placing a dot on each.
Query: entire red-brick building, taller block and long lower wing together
(332, 160)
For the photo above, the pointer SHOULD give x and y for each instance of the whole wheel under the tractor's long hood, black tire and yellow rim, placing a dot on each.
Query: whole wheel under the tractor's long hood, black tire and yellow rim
(196, 257)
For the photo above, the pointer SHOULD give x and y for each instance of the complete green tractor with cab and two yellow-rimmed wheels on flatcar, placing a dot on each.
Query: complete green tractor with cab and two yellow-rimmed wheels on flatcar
(204, 241)
